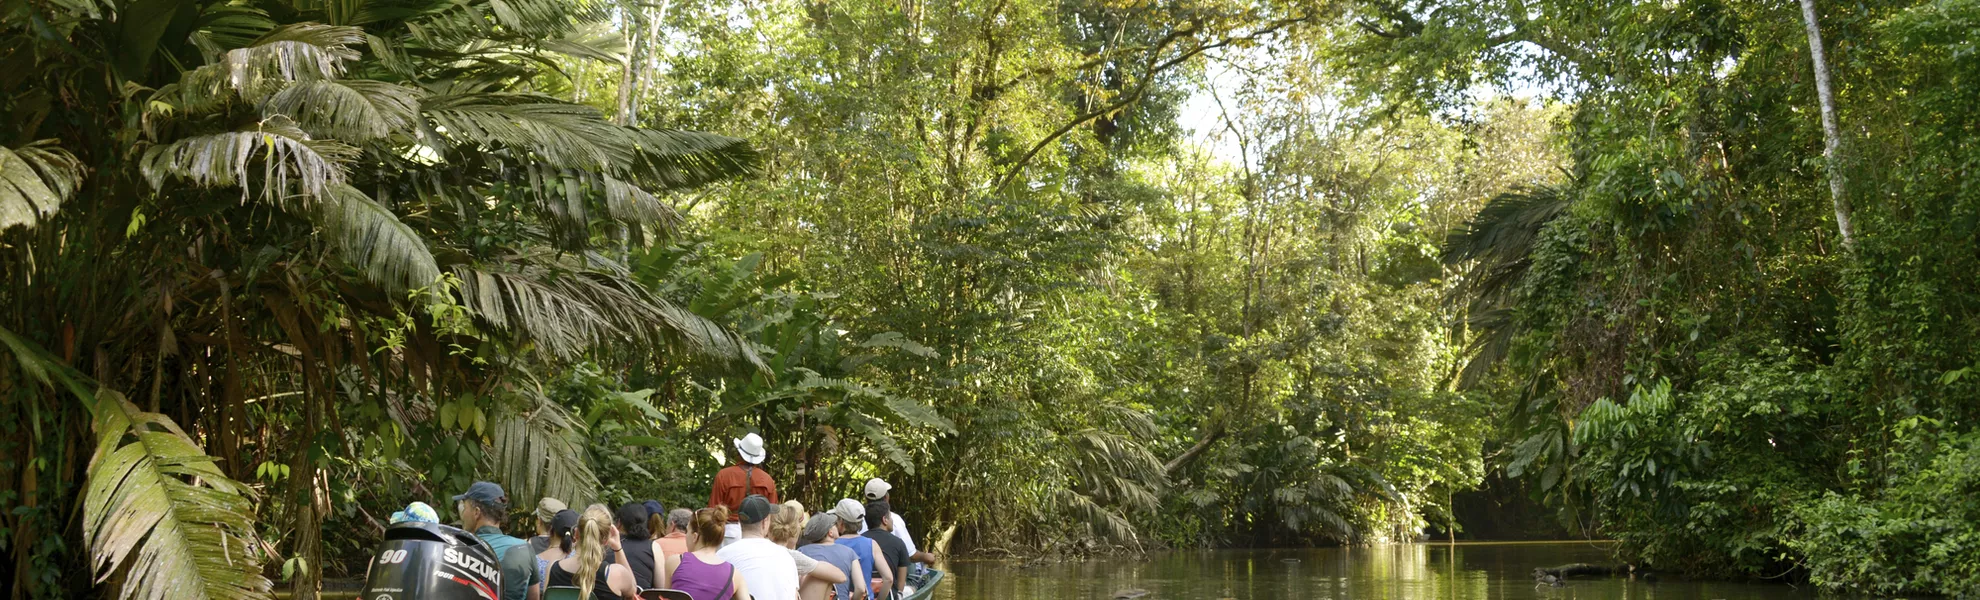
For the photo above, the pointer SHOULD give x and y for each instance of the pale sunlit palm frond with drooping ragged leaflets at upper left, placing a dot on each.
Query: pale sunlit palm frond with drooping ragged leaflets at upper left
(221, 159)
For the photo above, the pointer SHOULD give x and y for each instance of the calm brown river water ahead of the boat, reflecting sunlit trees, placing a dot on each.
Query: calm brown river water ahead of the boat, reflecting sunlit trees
(1466, 571)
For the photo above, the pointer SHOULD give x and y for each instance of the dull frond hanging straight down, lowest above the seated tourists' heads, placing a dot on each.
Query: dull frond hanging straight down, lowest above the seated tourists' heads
(538, 450)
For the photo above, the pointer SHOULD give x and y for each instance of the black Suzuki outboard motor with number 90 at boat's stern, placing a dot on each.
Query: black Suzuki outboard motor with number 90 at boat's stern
(427, 561)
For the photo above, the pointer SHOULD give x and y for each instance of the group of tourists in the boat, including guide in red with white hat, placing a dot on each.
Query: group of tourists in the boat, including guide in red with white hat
(743, 546)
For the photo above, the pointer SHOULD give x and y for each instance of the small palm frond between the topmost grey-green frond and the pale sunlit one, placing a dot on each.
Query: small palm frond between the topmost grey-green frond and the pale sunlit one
(347, 110)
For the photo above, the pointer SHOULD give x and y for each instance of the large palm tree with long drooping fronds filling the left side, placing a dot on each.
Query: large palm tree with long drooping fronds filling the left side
(318, 205)
